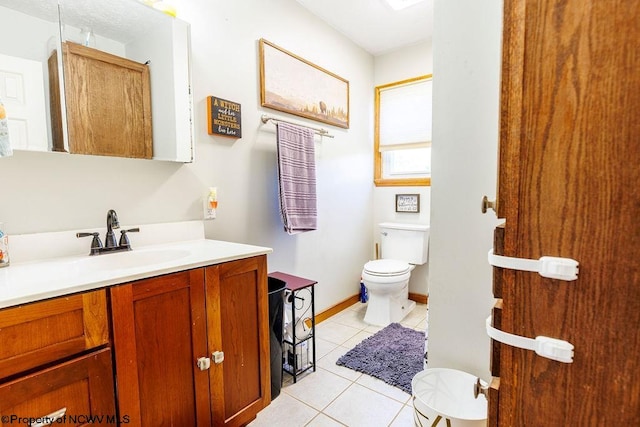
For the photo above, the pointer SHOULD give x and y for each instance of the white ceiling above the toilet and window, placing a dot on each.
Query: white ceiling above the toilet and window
(373, 25)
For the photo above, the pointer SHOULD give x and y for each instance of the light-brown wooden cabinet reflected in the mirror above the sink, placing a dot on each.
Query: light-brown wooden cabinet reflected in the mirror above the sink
(108, 103)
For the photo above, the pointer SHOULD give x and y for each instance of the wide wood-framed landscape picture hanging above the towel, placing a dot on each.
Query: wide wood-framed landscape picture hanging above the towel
(293, 85)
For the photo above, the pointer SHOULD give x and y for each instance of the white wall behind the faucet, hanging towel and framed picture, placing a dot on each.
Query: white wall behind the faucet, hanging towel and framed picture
(51, 191)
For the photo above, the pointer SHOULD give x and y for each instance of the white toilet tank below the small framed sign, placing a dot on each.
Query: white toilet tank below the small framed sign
(404, 242)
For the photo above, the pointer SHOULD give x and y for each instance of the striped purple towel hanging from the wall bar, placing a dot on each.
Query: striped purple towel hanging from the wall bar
(297, 178)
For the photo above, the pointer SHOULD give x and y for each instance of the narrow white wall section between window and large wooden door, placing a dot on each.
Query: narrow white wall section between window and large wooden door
(466, 48)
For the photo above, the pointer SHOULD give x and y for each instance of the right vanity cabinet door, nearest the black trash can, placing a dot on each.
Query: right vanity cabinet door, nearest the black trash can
(238, 323)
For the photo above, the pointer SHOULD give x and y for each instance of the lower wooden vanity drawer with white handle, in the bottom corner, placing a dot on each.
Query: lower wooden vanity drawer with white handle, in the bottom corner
(80, 389)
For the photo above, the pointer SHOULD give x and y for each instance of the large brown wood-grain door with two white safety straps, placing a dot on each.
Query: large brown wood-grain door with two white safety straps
(569, 187)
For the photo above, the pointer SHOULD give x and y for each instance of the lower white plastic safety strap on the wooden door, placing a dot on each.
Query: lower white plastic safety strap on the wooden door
(551, 348)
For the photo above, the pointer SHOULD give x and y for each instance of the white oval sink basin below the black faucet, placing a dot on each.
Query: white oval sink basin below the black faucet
(132, 259)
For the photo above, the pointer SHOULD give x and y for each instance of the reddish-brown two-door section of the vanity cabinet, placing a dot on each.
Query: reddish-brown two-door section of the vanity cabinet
(163, 325)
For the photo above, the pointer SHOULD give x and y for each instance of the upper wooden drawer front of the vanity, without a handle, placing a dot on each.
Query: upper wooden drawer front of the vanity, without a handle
(43, 332)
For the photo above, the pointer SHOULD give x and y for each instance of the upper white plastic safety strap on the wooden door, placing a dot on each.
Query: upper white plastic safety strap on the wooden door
(552, 267)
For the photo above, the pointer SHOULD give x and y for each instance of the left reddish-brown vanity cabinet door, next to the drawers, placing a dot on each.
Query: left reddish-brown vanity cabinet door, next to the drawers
(159, 332)
